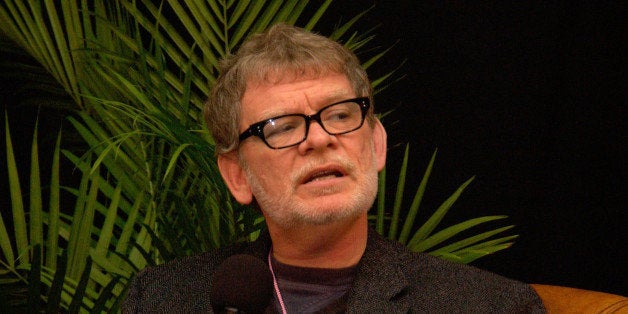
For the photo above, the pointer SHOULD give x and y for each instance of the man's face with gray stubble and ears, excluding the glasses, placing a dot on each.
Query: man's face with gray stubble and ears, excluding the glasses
(325, 178)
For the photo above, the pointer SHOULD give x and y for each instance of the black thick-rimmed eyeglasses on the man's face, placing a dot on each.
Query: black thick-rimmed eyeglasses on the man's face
(291, 129)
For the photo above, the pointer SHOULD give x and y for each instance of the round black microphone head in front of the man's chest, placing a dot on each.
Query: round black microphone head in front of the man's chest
(241, 284)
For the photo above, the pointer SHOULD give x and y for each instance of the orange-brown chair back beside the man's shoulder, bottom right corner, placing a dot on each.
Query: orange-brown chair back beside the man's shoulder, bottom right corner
(557, 299)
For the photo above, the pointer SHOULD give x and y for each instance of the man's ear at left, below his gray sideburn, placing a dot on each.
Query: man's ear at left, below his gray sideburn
(235, 178)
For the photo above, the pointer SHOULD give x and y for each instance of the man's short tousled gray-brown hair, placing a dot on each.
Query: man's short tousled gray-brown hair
(281, 51)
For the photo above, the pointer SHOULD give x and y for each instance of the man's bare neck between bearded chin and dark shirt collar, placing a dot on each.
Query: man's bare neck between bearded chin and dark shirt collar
(336, 245)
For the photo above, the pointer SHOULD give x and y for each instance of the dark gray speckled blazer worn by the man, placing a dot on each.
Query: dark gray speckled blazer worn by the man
(390, 279)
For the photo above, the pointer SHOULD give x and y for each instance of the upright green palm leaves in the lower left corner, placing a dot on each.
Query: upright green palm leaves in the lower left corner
(80, 261)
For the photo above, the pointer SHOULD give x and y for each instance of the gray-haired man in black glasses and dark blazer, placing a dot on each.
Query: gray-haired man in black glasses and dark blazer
(292, 117)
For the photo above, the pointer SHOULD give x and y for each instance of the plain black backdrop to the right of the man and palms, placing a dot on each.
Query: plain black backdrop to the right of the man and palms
(529, 98)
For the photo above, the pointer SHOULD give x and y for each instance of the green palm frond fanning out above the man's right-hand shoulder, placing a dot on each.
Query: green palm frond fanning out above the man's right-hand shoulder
(422, 238)
